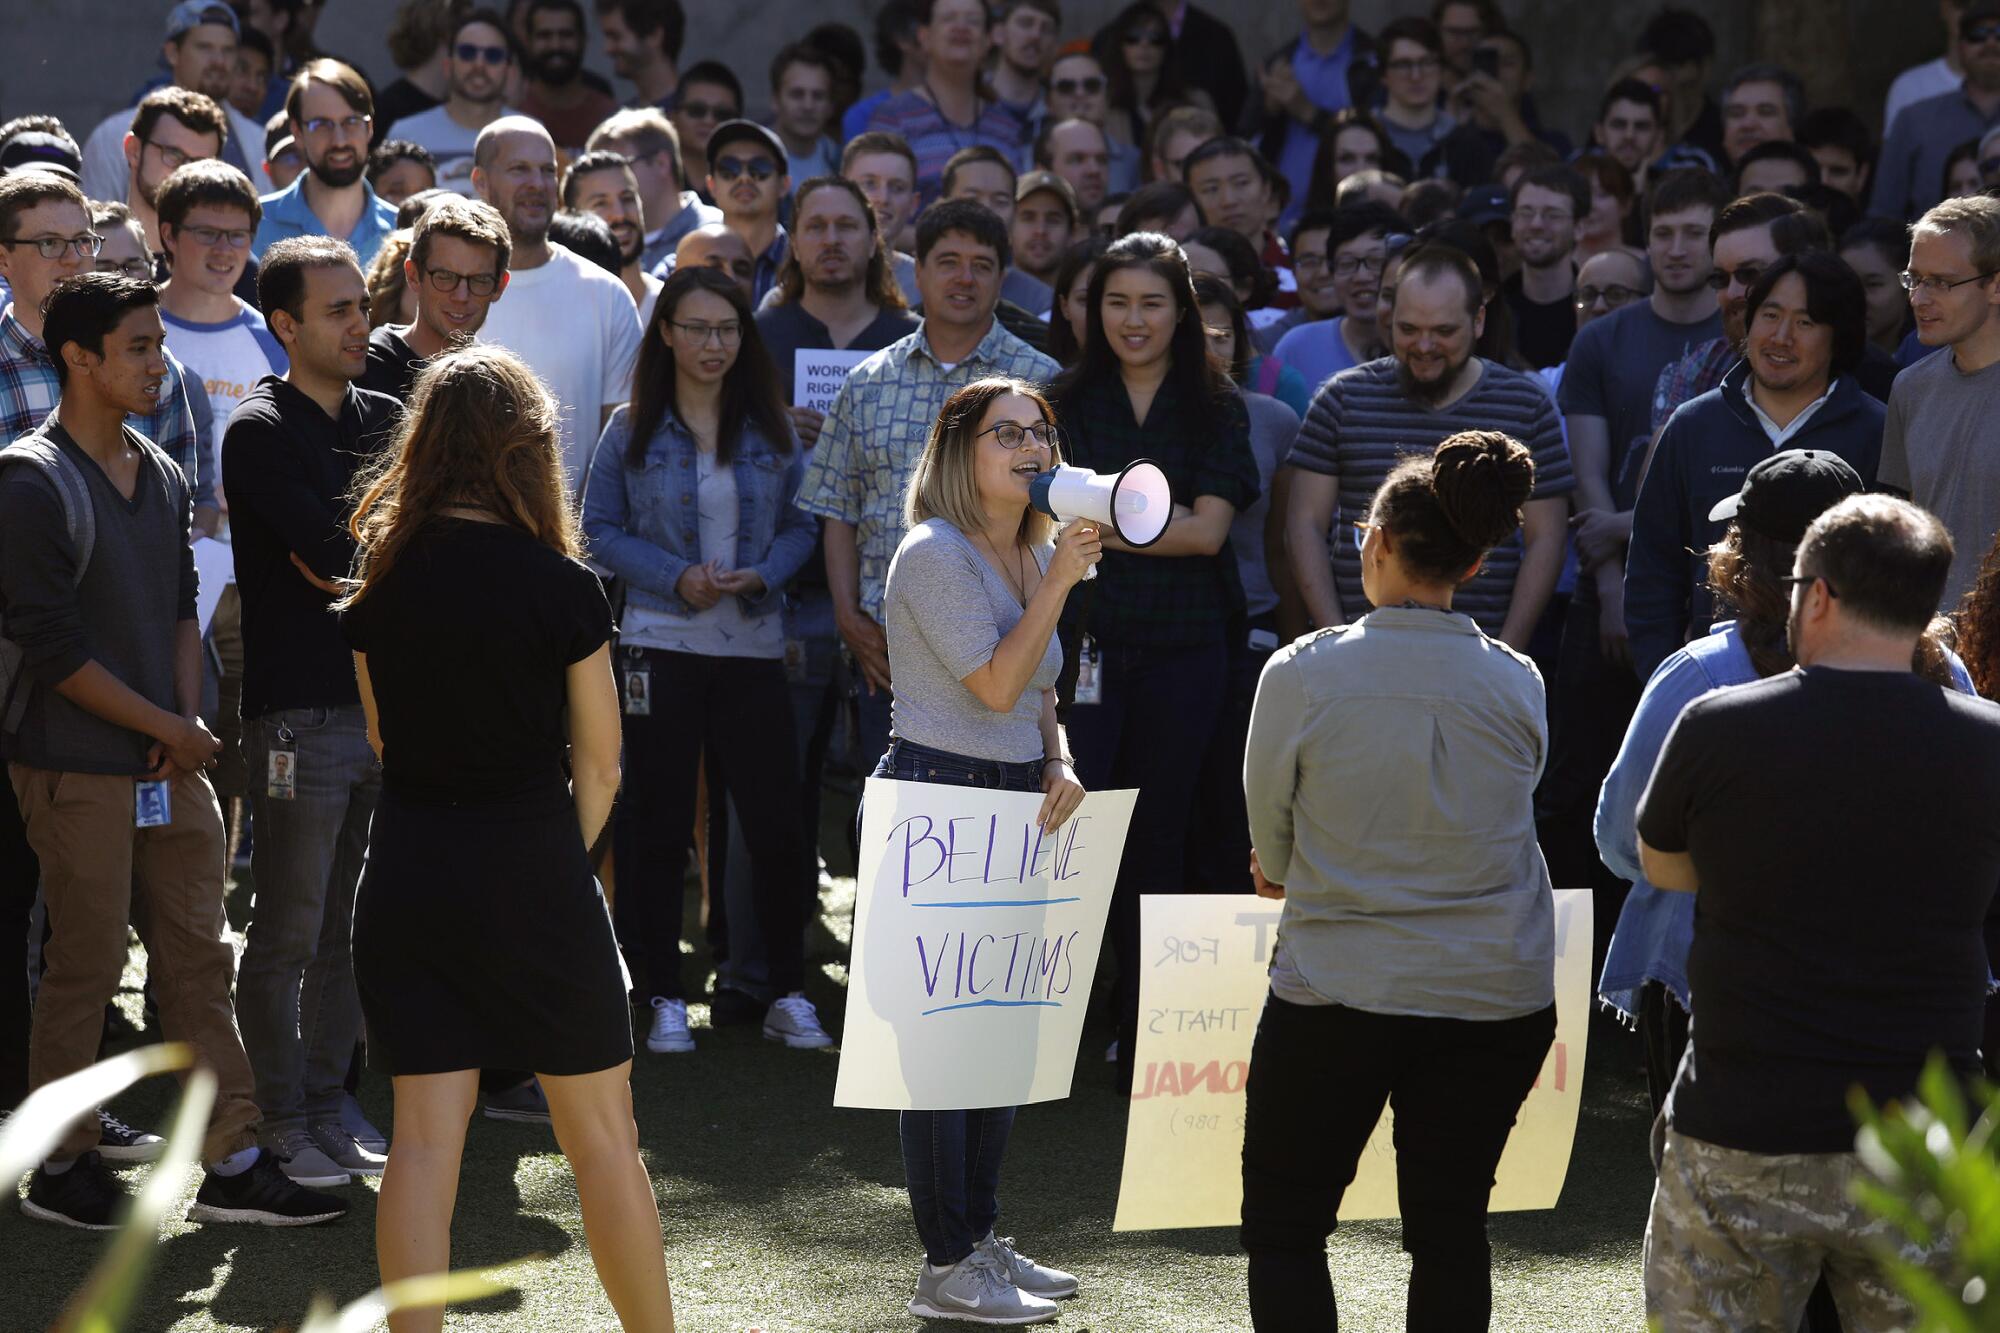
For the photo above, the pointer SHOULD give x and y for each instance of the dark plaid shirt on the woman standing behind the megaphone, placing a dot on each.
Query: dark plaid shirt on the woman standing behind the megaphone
(1153, 601)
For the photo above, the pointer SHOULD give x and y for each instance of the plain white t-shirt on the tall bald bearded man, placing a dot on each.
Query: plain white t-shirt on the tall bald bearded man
(577, 327)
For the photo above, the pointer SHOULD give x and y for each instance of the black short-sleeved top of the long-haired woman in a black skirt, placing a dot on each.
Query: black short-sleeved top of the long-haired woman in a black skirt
(469, 639)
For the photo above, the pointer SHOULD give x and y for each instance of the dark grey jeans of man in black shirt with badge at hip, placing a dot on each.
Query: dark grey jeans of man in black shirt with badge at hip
(297, 1004)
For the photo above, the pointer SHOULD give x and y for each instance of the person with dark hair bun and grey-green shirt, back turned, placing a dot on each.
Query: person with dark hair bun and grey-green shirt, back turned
(1391, 786)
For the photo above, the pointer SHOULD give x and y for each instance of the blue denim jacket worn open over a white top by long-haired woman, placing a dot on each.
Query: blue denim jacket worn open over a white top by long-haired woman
(645, 523)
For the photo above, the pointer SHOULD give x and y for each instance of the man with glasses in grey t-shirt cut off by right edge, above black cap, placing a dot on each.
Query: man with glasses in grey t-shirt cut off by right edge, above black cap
(1939, 441)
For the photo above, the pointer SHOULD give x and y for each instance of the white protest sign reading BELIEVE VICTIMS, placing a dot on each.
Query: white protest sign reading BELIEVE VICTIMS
(975, 944)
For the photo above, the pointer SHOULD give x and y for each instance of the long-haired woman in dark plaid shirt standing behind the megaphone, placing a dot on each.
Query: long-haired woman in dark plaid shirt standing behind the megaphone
(1149, 639)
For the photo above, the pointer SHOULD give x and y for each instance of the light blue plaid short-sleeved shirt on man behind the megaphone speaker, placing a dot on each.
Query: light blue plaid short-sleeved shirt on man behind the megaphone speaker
(877, 429)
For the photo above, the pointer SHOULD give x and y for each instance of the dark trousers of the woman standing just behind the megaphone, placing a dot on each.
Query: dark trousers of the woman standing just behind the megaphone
(1153, 732)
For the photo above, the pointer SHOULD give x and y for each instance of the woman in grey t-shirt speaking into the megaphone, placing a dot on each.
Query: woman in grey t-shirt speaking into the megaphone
(971, 613)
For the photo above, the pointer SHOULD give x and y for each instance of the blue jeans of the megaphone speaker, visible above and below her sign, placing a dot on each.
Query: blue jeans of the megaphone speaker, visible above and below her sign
(951, 1160)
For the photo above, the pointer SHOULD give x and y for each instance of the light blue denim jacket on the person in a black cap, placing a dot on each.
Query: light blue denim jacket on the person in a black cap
(1657, 928)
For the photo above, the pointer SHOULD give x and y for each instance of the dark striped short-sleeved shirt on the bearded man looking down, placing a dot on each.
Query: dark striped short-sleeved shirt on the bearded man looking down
(1361, 425)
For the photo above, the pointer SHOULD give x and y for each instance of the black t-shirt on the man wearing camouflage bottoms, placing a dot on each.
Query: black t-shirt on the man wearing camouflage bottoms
(1843, 832)
